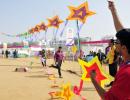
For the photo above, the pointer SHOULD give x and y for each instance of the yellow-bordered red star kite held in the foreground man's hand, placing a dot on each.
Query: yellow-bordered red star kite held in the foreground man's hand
(101, 77)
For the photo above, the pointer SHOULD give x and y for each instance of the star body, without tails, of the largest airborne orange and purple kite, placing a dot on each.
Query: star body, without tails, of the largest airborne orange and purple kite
(80, 13)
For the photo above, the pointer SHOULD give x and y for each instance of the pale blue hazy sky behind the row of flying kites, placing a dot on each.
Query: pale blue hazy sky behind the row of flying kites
(17, 16)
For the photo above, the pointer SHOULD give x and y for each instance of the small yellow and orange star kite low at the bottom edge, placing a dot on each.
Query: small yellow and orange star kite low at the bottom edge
(67, 93)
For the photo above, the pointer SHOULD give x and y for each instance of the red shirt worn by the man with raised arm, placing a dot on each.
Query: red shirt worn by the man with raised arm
(120, 89)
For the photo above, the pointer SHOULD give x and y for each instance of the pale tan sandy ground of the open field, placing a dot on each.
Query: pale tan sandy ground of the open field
(34, 84)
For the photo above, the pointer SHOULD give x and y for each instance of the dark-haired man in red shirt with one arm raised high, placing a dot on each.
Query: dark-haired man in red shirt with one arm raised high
(120, 89)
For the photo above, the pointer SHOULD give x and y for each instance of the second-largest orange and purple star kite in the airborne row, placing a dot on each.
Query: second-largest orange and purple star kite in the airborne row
(54, 22)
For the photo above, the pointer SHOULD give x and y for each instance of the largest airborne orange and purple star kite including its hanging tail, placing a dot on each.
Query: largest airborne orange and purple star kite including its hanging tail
(79, 13)
